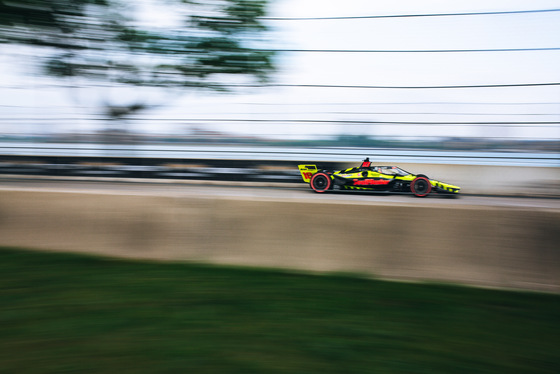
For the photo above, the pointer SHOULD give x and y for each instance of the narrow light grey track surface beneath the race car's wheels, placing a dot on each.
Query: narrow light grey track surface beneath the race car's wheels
(268, 192)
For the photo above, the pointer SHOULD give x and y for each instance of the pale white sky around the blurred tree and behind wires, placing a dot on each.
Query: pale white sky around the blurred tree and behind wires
(328, 111)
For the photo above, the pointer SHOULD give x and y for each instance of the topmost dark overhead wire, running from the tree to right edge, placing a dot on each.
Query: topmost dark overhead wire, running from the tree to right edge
(410, 15)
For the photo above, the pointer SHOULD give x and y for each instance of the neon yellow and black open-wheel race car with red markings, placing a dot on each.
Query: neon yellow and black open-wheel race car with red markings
(374, 178)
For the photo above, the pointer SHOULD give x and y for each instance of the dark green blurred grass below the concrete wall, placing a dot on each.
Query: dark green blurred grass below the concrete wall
(66, 313)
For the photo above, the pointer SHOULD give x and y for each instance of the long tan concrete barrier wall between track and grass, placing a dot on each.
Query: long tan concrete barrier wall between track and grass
(498, 247)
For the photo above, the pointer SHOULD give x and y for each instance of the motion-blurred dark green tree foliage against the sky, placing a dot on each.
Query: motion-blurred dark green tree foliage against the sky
(101, 41)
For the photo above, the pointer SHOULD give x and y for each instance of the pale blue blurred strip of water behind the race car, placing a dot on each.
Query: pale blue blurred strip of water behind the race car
(269, 153)
